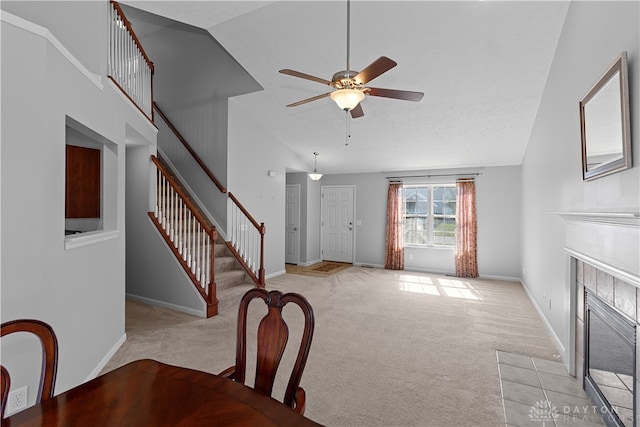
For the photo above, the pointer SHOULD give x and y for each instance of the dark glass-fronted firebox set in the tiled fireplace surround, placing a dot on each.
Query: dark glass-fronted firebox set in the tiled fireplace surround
(610, 361)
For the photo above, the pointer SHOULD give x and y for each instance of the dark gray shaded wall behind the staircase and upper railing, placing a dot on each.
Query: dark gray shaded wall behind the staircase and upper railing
(194, 77)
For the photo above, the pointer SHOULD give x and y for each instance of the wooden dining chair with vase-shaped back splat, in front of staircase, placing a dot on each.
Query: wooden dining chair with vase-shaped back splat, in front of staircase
(272, 337)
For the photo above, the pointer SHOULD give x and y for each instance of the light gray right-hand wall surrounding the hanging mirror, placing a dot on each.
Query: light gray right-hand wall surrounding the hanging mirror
(593, 35)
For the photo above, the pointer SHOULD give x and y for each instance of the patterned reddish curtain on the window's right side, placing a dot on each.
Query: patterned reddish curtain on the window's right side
(466, 230)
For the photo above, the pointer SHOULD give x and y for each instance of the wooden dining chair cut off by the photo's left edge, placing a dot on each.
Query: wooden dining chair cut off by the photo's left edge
(49, 368)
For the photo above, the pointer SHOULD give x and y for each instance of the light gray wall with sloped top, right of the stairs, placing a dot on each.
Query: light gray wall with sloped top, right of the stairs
(252, 152)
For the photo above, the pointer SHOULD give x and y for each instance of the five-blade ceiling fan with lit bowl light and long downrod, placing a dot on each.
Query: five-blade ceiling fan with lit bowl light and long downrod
(350, 86)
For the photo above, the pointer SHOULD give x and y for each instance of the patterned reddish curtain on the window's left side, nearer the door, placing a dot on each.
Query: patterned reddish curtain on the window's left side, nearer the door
(394, 253)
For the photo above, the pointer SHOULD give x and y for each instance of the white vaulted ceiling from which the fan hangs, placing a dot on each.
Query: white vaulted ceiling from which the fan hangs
(482, 66)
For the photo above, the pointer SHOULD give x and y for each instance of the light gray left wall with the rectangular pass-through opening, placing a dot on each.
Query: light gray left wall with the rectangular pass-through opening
(79, 291)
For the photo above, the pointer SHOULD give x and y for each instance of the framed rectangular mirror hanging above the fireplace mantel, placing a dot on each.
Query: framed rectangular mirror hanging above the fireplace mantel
(605, 123)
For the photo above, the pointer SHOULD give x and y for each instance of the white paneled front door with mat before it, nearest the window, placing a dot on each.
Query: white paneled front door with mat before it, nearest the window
(337, 223)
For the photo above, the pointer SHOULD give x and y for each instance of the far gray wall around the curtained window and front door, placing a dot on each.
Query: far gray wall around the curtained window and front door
(498, 211)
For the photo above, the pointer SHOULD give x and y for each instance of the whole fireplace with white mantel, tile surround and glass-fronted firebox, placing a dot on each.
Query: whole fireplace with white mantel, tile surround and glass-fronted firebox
(603, 274)
